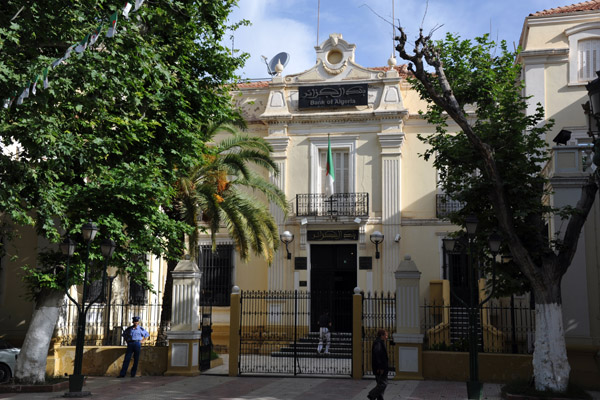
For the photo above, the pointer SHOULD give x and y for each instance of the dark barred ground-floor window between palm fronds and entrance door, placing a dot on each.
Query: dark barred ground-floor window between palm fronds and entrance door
(217, 271)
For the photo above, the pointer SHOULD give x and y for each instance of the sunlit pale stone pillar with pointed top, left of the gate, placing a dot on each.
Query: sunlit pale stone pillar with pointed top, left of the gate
(184, 336)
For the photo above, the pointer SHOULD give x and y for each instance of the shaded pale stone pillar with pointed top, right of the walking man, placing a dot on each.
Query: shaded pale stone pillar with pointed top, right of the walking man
(408, 337)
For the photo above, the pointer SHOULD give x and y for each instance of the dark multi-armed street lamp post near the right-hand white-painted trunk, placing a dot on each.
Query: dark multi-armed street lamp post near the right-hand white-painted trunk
(474, 386)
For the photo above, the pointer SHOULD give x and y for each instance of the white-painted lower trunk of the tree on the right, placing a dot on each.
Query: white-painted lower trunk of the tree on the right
(550, 364)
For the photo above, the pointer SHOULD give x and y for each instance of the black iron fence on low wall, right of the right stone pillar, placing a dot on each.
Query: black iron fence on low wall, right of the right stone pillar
(506, 326)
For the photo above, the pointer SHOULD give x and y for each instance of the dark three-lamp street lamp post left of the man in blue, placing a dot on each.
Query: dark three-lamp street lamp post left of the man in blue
(107, 248)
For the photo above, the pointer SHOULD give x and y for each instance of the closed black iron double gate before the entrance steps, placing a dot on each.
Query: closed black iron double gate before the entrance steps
(276, 335)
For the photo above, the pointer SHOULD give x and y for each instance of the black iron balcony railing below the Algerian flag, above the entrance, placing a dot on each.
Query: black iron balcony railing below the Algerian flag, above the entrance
(337, 205)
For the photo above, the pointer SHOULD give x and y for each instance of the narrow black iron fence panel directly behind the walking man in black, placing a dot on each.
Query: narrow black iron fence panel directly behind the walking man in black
(379, 312)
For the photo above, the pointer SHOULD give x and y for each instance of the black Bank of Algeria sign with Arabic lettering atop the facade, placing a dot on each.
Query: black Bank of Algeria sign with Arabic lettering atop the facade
(333, 96)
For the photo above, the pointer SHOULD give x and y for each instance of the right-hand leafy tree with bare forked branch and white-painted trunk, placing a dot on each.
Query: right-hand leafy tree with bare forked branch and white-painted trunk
(494, 165)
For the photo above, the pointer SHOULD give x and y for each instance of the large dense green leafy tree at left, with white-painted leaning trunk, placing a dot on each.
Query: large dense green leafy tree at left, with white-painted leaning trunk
(108, 138)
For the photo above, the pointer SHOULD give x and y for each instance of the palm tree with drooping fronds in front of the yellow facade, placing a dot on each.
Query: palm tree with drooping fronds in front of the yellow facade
(223, 190)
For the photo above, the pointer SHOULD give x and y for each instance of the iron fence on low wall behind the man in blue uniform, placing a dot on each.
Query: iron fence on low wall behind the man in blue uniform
(105, 323)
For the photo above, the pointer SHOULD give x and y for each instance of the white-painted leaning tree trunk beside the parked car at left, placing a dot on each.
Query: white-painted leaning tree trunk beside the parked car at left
(31, 363)
